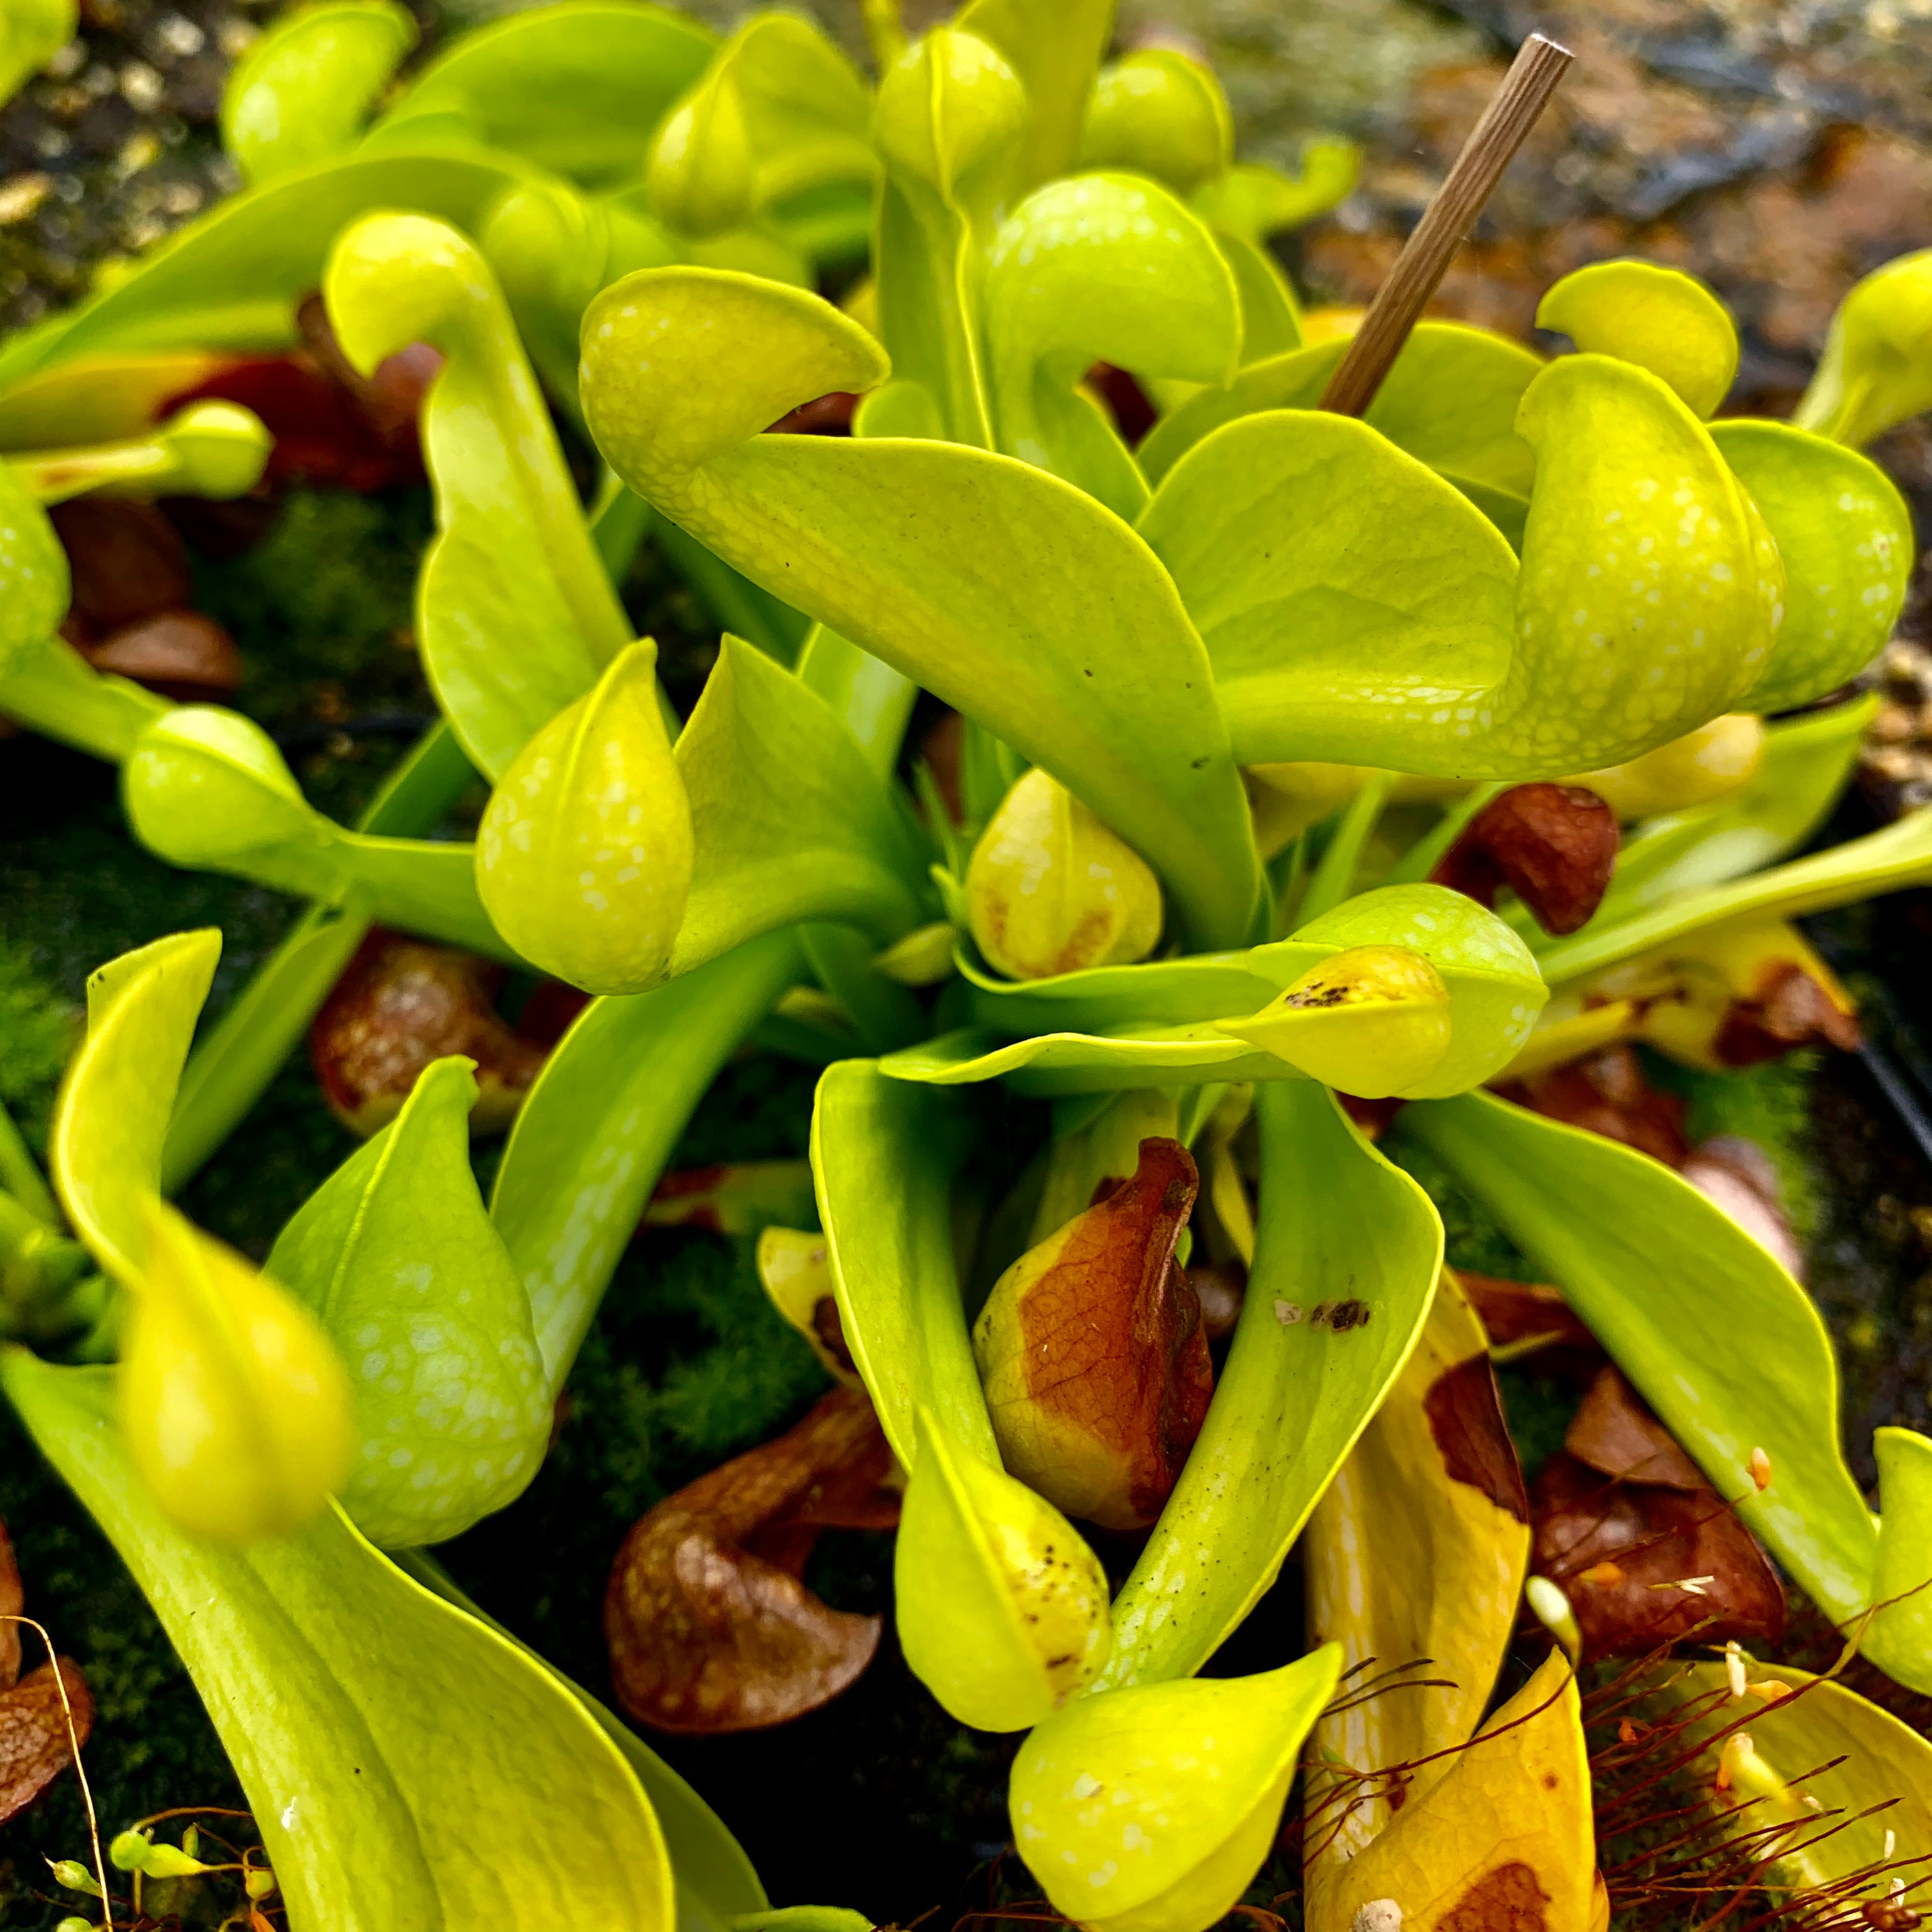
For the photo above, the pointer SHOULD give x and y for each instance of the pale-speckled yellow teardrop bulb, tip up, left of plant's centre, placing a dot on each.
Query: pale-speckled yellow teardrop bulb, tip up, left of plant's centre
(584, 855)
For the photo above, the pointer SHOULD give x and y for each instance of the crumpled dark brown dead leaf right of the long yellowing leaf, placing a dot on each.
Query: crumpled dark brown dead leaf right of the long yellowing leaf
(1620, 1547)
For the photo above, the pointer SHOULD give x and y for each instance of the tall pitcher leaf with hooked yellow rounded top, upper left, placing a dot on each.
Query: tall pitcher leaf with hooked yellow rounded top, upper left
(515, 611)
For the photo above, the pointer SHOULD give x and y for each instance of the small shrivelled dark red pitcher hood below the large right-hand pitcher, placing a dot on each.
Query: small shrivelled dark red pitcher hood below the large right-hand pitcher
(1554, 845)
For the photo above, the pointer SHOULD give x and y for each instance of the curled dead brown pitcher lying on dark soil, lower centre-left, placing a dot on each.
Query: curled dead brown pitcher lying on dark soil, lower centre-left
(706, 1620)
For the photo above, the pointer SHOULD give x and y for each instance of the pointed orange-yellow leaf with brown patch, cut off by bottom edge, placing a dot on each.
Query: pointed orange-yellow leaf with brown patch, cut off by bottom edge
(1502, 1840)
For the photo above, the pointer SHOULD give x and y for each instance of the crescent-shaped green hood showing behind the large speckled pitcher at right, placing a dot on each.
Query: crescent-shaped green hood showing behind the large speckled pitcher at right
(1846, 540)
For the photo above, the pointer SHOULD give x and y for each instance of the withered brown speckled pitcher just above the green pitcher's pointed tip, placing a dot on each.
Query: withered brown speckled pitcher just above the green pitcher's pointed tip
(401, 1006)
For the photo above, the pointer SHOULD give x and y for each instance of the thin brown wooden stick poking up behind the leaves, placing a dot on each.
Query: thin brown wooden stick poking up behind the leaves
(1446, 221)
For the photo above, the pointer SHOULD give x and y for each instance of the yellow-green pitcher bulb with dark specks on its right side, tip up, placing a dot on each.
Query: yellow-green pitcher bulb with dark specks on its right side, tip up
(1002, 1606)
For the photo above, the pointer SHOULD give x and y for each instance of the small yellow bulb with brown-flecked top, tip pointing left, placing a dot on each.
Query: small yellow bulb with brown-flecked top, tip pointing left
(1371, 1021)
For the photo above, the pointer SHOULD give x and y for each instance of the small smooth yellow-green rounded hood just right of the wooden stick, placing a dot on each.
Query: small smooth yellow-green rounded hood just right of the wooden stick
(1662, 320)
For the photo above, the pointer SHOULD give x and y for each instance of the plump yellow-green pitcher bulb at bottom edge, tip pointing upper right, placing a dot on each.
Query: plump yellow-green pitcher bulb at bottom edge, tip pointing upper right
(1152, 1807)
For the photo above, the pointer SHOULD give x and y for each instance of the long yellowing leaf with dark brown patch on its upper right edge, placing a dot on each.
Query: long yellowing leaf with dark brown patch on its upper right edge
(1417, 1556)
